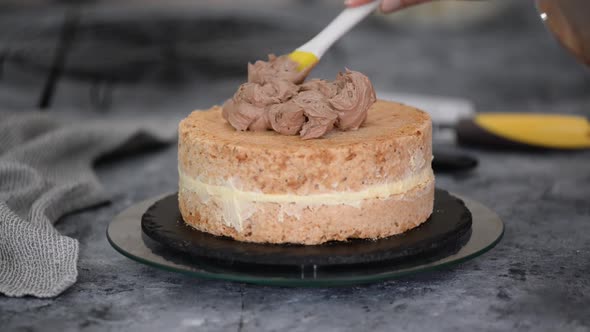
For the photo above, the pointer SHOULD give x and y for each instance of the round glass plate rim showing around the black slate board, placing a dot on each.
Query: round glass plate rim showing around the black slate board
(125, 235)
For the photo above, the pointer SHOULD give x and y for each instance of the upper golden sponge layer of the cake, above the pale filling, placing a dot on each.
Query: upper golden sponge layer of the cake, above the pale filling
(394, 143)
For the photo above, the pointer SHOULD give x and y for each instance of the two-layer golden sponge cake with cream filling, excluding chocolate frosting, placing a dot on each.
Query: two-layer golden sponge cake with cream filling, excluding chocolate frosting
(260, 186)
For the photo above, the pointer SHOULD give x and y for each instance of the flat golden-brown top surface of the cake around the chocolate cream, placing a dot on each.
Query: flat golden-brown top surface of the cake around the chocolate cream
(385, 121)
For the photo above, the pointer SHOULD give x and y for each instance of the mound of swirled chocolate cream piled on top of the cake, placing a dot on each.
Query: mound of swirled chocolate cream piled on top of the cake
(272, 99)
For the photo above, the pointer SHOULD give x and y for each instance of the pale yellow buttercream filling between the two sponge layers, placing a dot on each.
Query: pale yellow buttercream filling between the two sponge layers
(237, 205)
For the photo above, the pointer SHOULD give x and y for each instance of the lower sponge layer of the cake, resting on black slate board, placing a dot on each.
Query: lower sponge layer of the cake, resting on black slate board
(375, 218)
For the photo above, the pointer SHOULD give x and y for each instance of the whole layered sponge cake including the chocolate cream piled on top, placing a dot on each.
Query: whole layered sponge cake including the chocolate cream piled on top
(288, 161)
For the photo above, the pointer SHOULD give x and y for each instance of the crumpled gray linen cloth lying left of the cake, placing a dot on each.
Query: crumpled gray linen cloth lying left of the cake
(45, 172)
